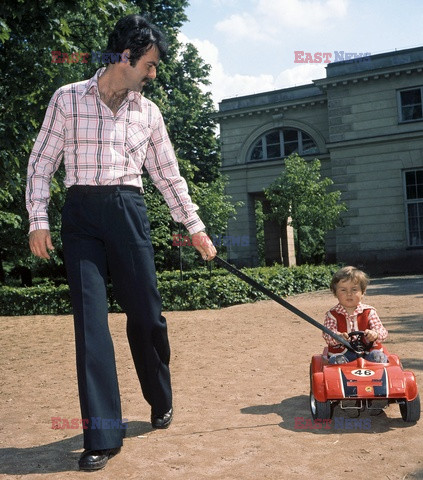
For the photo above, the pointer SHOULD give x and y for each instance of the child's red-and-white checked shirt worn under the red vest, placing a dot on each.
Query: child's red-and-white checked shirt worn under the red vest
(374, 322)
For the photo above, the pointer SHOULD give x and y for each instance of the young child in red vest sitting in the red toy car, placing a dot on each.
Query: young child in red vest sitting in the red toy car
(349, 286)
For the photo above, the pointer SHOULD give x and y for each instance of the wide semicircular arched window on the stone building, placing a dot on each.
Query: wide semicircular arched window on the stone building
(281, 143)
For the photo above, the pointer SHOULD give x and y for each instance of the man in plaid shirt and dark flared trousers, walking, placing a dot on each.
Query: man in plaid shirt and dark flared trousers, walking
(105, 131)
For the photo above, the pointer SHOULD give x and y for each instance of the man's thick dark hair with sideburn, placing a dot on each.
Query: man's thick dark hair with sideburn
(136, 33)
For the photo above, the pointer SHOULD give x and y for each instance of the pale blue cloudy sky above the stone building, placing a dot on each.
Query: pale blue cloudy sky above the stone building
(250, 44)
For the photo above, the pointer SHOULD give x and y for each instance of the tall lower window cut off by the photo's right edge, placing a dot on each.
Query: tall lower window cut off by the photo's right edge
(413, 181)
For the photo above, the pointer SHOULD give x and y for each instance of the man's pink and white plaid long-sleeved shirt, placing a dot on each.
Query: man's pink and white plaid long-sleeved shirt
(100, 149)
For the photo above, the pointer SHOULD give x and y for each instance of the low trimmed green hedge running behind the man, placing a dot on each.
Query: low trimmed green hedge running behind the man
(199, 289)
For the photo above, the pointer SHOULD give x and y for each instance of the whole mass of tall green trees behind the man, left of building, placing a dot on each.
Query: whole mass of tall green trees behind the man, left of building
(29, 33)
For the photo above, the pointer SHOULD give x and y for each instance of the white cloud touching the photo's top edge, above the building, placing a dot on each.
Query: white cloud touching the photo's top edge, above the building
(271, 18)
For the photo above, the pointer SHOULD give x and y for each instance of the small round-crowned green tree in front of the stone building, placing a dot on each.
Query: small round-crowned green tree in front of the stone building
(302, 198)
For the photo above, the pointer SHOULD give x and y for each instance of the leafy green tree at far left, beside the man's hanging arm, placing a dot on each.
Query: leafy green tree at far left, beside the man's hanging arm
(29, 32)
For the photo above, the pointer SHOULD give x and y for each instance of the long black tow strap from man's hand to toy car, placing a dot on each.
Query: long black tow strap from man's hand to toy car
(281, 301)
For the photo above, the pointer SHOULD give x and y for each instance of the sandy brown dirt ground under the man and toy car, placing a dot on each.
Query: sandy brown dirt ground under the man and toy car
(240, 380)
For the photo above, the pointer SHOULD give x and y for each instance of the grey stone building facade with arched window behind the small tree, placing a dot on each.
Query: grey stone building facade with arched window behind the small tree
(364, 122)
